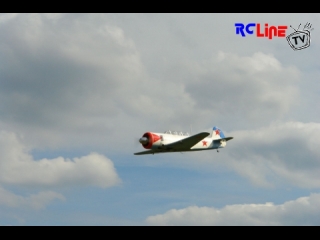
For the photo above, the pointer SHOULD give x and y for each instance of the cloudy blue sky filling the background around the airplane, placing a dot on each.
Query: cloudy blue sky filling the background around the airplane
(77, 91)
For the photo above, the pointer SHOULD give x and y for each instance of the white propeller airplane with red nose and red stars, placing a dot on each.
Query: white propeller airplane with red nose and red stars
(173, 141)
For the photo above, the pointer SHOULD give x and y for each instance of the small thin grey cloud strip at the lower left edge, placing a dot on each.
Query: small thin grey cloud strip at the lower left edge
(34, 201)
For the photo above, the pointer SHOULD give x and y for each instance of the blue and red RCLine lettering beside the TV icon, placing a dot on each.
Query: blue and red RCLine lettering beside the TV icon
(269, 32)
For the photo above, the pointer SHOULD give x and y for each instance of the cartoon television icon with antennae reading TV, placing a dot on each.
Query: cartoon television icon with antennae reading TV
(300, 39)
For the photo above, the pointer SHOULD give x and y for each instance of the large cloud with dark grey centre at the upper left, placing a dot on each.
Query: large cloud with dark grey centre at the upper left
(65, 74)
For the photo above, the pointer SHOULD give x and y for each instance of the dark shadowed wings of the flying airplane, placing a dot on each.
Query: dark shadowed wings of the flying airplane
(181, 145)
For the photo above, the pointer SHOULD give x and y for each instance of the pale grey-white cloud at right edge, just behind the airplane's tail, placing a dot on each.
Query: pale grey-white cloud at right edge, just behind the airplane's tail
(286, 150)
